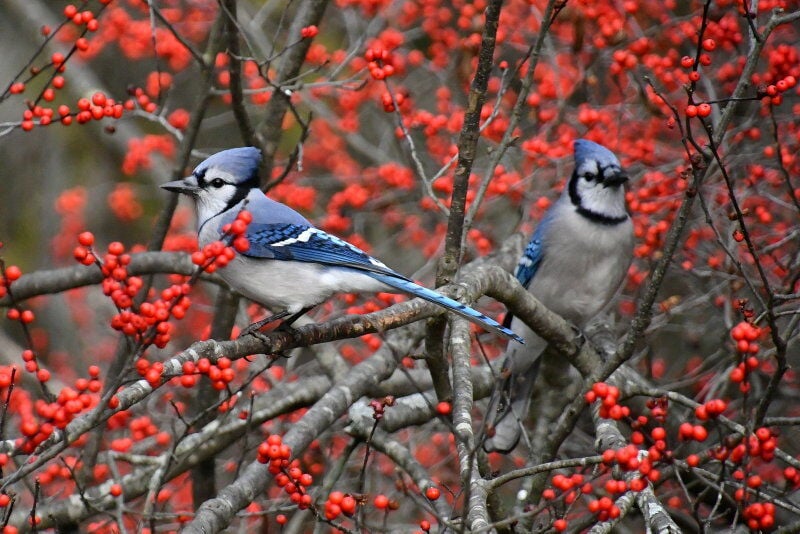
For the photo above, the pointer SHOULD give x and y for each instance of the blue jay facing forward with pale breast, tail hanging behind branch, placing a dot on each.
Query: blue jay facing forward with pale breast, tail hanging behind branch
(574, 264)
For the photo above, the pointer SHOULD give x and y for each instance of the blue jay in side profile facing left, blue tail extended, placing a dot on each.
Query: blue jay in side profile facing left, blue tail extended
(290, 266)
